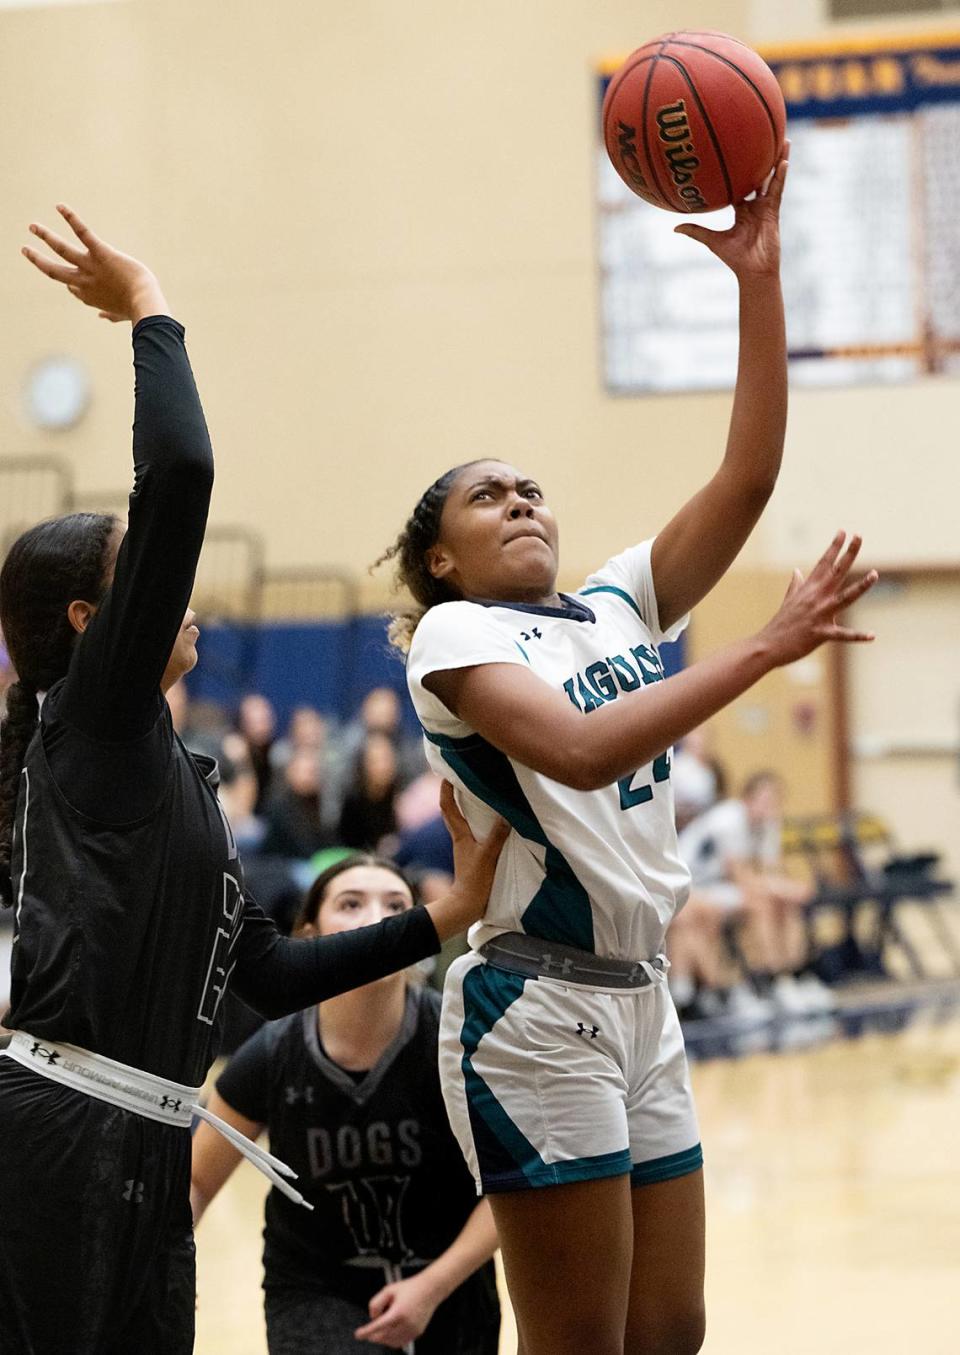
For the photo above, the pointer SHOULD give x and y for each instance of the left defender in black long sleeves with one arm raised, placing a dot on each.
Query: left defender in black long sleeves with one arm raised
(128, 896)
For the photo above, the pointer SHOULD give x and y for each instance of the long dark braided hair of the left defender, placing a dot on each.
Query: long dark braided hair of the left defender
(48, 568)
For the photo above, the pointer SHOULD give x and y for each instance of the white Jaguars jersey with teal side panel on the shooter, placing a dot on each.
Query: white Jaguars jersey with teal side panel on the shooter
(593, 869)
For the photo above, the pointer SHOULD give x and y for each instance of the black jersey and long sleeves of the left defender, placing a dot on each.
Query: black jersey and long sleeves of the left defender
(129, 906)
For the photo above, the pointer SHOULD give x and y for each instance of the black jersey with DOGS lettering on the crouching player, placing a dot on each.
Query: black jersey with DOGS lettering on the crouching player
(376, 1158)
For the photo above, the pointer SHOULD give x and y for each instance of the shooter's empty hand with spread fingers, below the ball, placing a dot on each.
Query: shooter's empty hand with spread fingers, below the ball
(807, 617)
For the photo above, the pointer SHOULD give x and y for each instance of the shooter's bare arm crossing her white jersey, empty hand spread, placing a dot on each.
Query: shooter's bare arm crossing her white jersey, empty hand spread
(524, 717)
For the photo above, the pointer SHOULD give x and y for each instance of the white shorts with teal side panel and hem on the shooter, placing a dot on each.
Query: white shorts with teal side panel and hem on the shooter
(548, 1083)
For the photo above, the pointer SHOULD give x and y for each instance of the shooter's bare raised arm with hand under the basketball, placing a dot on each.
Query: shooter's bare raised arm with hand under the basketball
(698, 547)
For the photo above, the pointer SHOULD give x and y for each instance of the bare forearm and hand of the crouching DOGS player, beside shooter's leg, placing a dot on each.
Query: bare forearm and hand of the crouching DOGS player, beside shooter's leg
(402, 1312)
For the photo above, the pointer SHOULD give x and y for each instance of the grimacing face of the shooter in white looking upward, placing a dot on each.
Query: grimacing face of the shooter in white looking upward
(498, 539)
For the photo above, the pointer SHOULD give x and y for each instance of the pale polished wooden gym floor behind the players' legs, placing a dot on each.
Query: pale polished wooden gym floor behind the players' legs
(833, 1204)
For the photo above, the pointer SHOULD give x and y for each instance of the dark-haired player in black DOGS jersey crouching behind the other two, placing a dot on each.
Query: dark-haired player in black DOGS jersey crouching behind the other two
(397, 1253)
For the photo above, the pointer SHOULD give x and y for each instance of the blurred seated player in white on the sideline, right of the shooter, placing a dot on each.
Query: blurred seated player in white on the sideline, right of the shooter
(734, 856)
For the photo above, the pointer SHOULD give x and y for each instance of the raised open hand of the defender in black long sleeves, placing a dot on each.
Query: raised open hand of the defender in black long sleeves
(116, 285)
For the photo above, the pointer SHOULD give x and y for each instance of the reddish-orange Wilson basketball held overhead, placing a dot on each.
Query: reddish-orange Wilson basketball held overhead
(694, 121)
